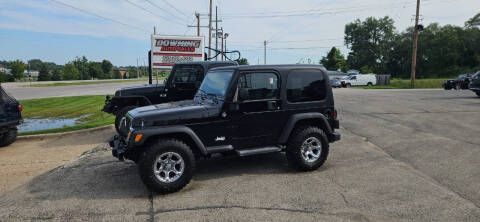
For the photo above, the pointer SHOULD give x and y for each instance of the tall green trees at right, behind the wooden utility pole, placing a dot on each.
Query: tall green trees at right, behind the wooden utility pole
(376, 47)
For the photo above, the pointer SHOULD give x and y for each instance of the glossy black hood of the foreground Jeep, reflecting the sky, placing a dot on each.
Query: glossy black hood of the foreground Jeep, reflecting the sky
(173, 113)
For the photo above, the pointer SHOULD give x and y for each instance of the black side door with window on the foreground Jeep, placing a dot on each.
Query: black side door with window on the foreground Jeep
(259, 118)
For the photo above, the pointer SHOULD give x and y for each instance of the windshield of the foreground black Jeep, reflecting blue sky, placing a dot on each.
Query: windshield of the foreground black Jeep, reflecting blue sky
(215, 84)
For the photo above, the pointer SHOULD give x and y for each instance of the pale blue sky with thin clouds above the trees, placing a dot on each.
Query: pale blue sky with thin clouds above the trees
(119, 30)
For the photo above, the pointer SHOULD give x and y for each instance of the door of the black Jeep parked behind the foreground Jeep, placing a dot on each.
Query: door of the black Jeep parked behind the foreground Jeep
(185, 82)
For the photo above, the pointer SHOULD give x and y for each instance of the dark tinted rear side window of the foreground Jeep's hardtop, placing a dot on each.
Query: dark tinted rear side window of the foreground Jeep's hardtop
(305, 85)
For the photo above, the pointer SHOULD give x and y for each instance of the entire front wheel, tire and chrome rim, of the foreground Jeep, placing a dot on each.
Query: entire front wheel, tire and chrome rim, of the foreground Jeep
(167, 166)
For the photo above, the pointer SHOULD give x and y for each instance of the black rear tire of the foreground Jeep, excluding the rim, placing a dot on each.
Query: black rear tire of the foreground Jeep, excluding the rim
(294, 146)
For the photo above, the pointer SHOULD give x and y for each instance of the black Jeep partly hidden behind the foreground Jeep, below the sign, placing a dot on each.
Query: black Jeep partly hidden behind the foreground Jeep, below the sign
(181, 84)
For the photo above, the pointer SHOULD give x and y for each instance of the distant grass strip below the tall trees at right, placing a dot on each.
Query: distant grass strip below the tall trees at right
(405, 84)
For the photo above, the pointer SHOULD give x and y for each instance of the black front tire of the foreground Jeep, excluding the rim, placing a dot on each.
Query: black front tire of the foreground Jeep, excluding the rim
(148, 158)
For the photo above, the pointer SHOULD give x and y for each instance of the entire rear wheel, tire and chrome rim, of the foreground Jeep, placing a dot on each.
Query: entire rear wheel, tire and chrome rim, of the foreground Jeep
(307, 150)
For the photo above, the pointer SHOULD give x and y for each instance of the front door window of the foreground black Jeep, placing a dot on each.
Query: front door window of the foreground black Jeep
(258, 86)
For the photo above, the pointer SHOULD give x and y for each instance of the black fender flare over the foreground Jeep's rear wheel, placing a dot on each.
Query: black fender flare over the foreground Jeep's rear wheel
(289, 126)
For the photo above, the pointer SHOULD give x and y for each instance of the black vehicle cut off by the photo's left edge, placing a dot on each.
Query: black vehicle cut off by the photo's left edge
(10, 118)
